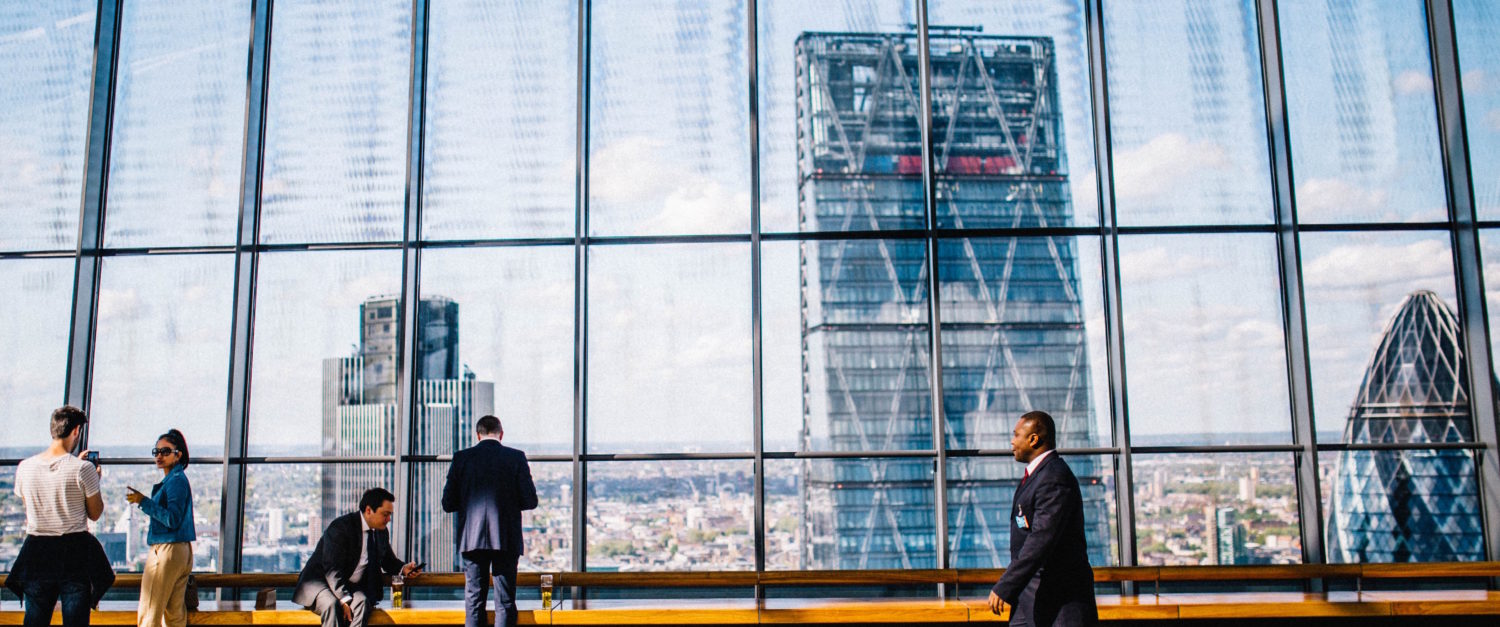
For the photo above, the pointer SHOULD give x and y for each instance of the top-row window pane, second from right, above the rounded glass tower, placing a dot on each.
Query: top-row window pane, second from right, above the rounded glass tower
(1361, 109)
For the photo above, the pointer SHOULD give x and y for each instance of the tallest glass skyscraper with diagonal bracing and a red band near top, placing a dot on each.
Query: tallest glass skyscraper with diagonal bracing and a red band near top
(1013, 335)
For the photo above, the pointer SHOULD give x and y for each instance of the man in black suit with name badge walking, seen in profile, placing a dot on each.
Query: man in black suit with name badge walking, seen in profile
(1049, 581)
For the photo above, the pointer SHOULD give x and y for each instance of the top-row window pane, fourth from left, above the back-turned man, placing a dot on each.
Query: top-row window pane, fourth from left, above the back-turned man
(502, 121)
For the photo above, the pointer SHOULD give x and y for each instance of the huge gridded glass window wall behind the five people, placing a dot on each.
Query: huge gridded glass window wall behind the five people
(763, 284)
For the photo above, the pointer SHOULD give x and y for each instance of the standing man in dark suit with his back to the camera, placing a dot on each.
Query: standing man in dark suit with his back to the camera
(488, 487)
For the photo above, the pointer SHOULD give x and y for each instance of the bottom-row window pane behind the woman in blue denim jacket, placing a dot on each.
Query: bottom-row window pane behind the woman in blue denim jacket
(122, 529)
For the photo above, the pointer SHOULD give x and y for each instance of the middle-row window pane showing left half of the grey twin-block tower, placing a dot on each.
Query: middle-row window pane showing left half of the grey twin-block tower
(326, 353)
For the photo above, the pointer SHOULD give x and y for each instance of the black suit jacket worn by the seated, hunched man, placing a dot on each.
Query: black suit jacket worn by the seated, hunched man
(334, 562)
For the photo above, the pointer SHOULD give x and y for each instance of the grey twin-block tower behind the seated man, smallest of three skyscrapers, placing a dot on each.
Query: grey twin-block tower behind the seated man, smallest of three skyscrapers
(359, 416)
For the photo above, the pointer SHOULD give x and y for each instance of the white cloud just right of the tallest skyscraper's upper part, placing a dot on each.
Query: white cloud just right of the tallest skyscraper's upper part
(1162, 164)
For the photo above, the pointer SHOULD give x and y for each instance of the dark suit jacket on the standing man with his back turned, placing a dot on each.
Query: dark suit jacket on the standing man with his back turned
(488, 487)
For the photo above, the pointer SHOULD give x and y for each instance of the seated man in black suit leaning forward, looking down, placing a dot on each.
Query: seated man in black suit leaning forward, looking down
(343, 578)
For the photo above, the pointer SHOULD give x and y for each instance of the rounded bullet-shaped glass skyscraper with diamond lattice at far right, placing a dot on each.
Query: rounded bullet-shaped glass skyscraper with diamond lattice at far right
(1409, 505)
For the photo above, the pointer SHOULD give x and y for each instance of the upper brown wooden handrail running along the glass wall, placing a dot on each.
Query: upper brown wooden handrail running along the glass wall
(916, 577)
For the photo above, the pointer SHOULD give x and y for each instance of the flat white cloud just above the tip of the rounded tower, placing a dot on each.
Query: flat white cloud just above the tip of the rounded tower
(1367, 266)
